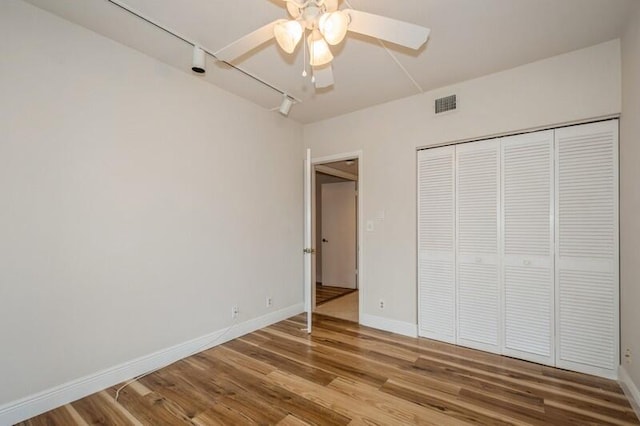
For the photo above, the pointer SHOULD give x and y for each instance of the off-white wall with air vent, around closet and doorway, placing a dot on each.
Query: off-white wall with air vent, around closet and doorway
(565, 88)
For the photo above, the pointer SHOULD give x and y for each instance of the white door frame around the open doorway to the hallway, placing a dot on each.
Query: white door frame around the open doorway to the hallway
(360, 279)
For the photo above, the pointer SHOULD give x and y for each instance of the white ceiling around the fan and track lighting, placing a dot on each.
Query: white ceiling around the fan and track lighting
(469, 38)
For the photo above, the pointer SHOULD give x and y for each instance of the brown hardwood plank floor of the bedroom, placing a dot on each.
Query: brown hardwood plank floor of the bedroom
(349, 374)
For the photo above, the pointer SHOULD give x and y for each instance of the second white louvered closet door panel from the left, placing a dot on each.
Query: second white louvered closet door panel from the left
(477, 269)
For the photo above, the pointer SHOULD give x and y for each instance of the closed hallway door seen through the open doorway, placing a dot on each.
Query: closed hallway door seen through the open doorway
(339, 234)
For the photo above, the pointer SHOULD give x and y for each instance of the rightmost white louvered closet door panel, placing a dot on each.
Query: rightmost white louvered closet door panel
(587, 248)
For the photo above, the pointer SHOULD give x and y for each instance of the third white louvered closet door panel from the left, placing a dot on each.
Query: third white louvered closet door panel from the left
(527, 247)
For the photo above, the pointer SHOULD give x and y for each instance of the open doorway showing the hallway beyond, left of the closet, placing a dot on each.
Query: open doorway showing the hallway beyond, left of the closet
(336, 236)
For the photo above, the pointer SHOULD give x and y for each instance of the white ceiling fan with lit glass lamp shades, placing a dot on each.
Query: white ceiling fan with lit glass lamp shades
(324, 24)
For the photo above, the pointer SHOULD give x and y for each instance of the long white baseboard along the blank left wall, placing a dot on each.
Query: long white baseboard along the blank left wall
(65, 393)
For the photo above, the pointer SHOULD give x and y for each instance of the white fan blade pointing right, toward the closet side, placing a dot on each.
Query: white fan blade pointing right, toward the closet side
(388, 29)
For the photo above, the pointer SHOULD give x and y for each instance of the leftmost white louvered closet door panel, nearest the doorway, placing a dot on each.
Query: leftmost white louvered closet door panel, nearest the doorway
(436, 243)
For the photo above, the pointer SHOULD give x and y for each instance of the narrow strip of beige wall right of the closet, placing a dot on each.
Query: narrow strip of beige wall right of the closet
(630, 197)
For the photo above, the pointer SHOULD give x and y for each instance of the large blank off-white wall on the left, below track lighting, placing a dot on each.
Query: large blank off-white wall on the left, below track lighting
(127, 194)
